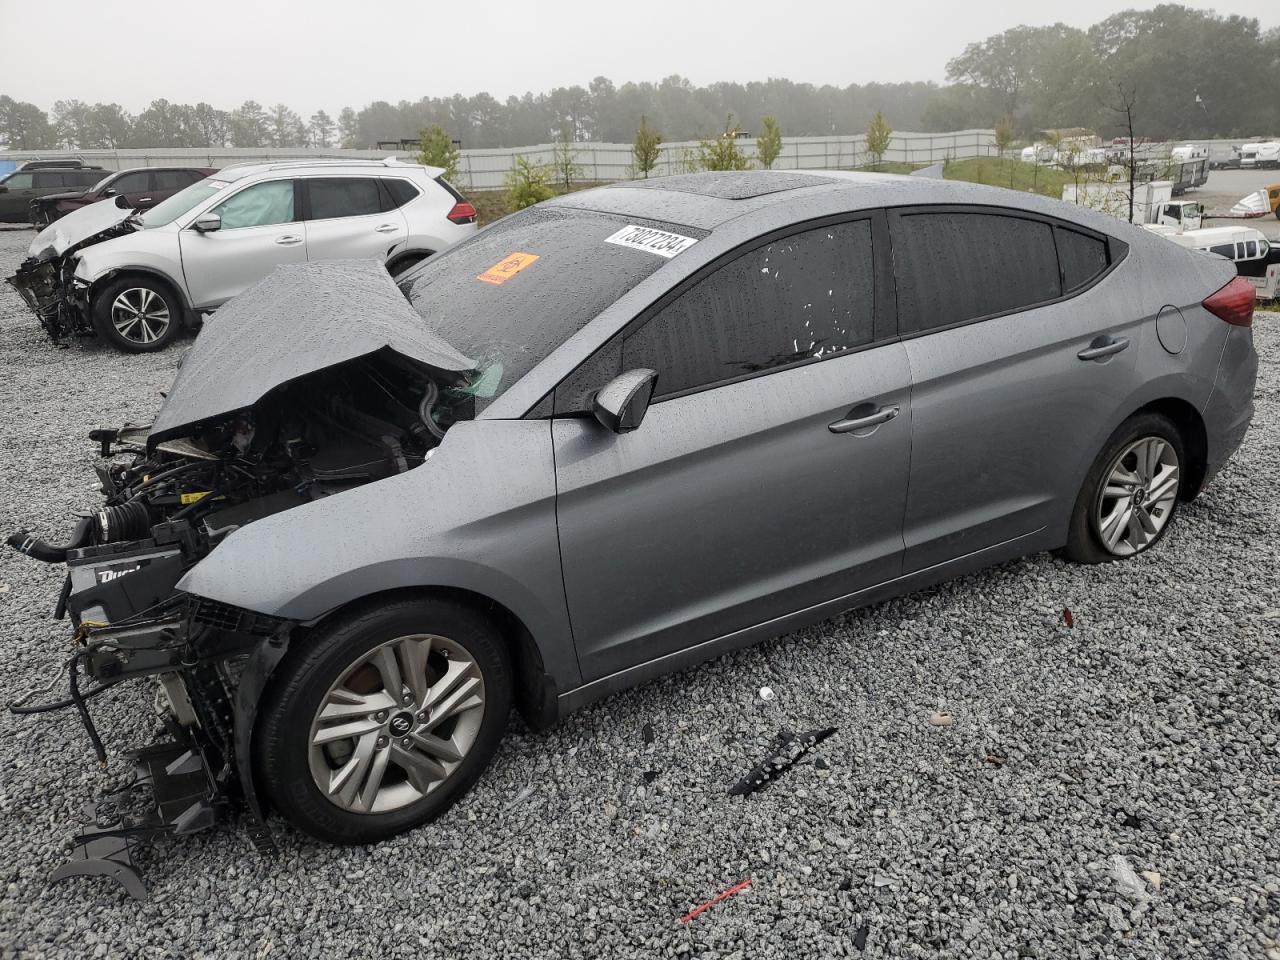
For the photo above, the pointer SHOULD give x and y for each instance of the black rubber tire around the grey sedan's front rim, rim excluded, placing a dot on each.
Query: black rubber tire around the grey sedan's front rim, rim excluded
(282, 740)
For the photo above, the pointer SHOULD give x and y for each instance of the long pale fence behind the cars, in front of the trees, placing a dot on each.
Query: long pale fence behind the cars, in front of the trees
(486, 170)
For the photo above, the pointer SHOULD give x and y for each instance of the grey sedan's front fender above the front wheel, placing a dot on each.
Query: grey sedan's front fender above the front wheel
(479, 516)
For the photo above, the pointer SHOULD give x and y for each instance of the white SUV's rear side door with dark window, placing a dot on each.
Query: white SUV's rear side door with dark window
(351, 217)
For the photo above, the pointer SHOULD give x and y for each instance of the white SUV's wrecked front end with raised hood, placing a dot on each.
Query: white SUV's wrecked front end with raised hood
(47, 280)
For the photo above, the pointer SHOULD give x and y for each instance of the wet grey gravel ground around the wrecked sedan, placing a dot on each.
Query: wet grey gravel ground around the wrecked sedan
(1145, 738)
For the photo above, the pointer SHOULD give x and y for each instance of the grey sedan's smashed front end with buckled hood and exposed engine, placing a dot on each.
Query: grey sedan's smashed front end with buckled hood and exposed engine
(318, 381)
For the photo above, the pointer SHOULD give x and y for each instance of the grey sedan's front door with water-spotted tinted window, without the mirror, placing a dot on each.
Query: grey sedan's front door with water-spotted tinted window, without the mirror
(746, 495)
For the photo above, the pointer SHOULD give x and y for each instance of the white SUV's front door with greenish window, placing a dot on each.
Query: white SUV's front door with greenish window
(260, 231)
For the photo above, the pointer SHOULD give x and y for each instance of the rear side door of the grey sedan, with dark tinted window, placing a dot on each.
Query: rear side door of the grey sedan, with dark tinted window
(998, 309)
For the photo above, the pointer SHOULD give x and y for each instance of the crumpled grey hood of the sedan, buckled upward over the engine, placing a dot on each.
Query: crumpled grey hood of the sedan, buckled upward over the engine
(303, 319)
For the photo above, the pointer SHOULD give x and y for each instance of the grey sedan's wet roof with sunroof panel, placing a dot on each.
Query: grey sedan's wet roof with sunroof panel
(710, 200)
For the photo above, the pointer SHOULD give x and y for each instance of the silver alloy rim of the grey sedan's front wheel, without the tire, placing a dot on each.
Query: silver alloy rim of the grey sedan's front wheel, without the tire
(397, 724)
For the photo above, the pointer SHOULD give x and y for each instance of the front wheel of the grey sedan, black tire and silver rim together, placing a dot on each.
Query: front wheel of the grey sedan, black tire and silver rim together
(308, 762)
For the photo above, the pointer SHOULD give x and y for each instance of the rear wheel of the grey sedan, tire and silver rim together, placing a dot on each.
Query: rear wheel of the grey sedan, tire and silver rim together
(1101, 531)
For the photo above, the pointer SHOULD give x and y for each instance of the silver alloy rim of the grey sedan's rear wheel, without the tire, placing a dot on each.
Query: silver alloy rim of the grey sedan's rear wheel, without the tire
(1139, 496)
